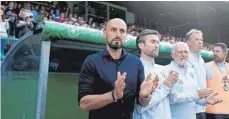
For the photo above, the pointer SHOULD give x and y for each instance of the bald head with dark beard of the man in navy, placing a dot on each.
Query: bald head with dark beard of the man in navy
(115, 33)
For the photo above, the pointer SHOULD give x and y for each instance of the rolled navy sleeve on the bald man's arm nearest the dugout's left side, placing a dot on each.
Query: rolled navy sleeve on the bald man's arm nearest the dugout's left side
(86, 78)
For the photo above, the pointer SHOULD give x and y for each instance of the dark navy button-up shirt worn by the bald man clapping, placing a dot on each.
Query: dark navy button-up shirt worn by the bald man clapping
(98, 76)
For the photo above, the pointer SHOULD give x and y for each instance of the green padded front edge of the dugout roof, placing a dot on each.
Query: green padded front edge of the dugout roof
(87, 35)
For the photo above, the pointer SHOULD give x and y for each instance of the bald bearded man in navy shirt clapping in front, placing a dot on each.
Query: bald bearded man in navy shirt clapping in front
(112, 80)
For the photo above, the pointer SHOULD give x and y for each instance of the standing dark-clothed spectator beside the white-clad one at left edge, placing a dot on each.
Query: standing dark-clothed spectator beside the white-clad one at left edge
(12, 15)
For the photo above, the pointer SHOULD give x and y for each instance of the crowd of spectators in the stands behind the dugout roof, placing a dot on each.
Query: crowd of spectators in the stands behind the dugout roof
(17, 18)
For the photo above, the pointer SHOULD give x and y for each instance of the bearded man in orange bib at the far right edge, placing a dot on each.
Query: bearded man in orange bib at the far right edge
(218, 79)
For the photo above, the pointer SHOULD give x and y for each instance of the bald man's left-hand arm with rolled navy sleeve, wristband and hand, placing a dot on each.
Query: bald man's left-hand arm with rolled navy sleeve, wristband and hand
(86, 95)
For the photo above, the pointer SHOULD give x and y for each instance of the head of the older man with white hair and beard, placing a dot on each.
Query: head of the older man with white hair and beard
(180, 53)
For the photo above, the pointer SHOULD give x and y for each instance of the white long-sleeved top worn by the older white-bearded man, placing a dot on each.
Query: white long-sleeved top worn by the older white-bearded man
(183, 96)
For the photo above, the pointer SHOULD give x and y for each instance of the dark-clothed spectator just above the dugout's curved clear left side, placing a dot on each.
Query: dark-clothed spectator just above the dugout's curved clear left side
(23, 24)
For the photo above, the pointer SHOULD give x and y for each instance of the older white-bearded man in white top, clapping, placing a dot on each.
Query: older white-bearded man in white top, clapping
(184, 93)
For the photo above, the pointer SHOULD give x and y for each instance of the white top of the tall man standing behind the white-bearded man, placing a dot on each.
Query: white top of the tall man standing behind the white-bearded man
(197, 62)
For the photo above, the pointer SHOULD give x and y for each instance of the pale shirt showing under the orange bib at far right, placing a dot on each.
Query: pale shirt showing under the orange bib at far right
(222, 67)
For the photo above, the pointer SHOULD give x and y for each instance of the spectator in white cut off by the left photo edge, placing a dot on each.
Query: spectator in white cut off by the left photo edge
(4, 24)
